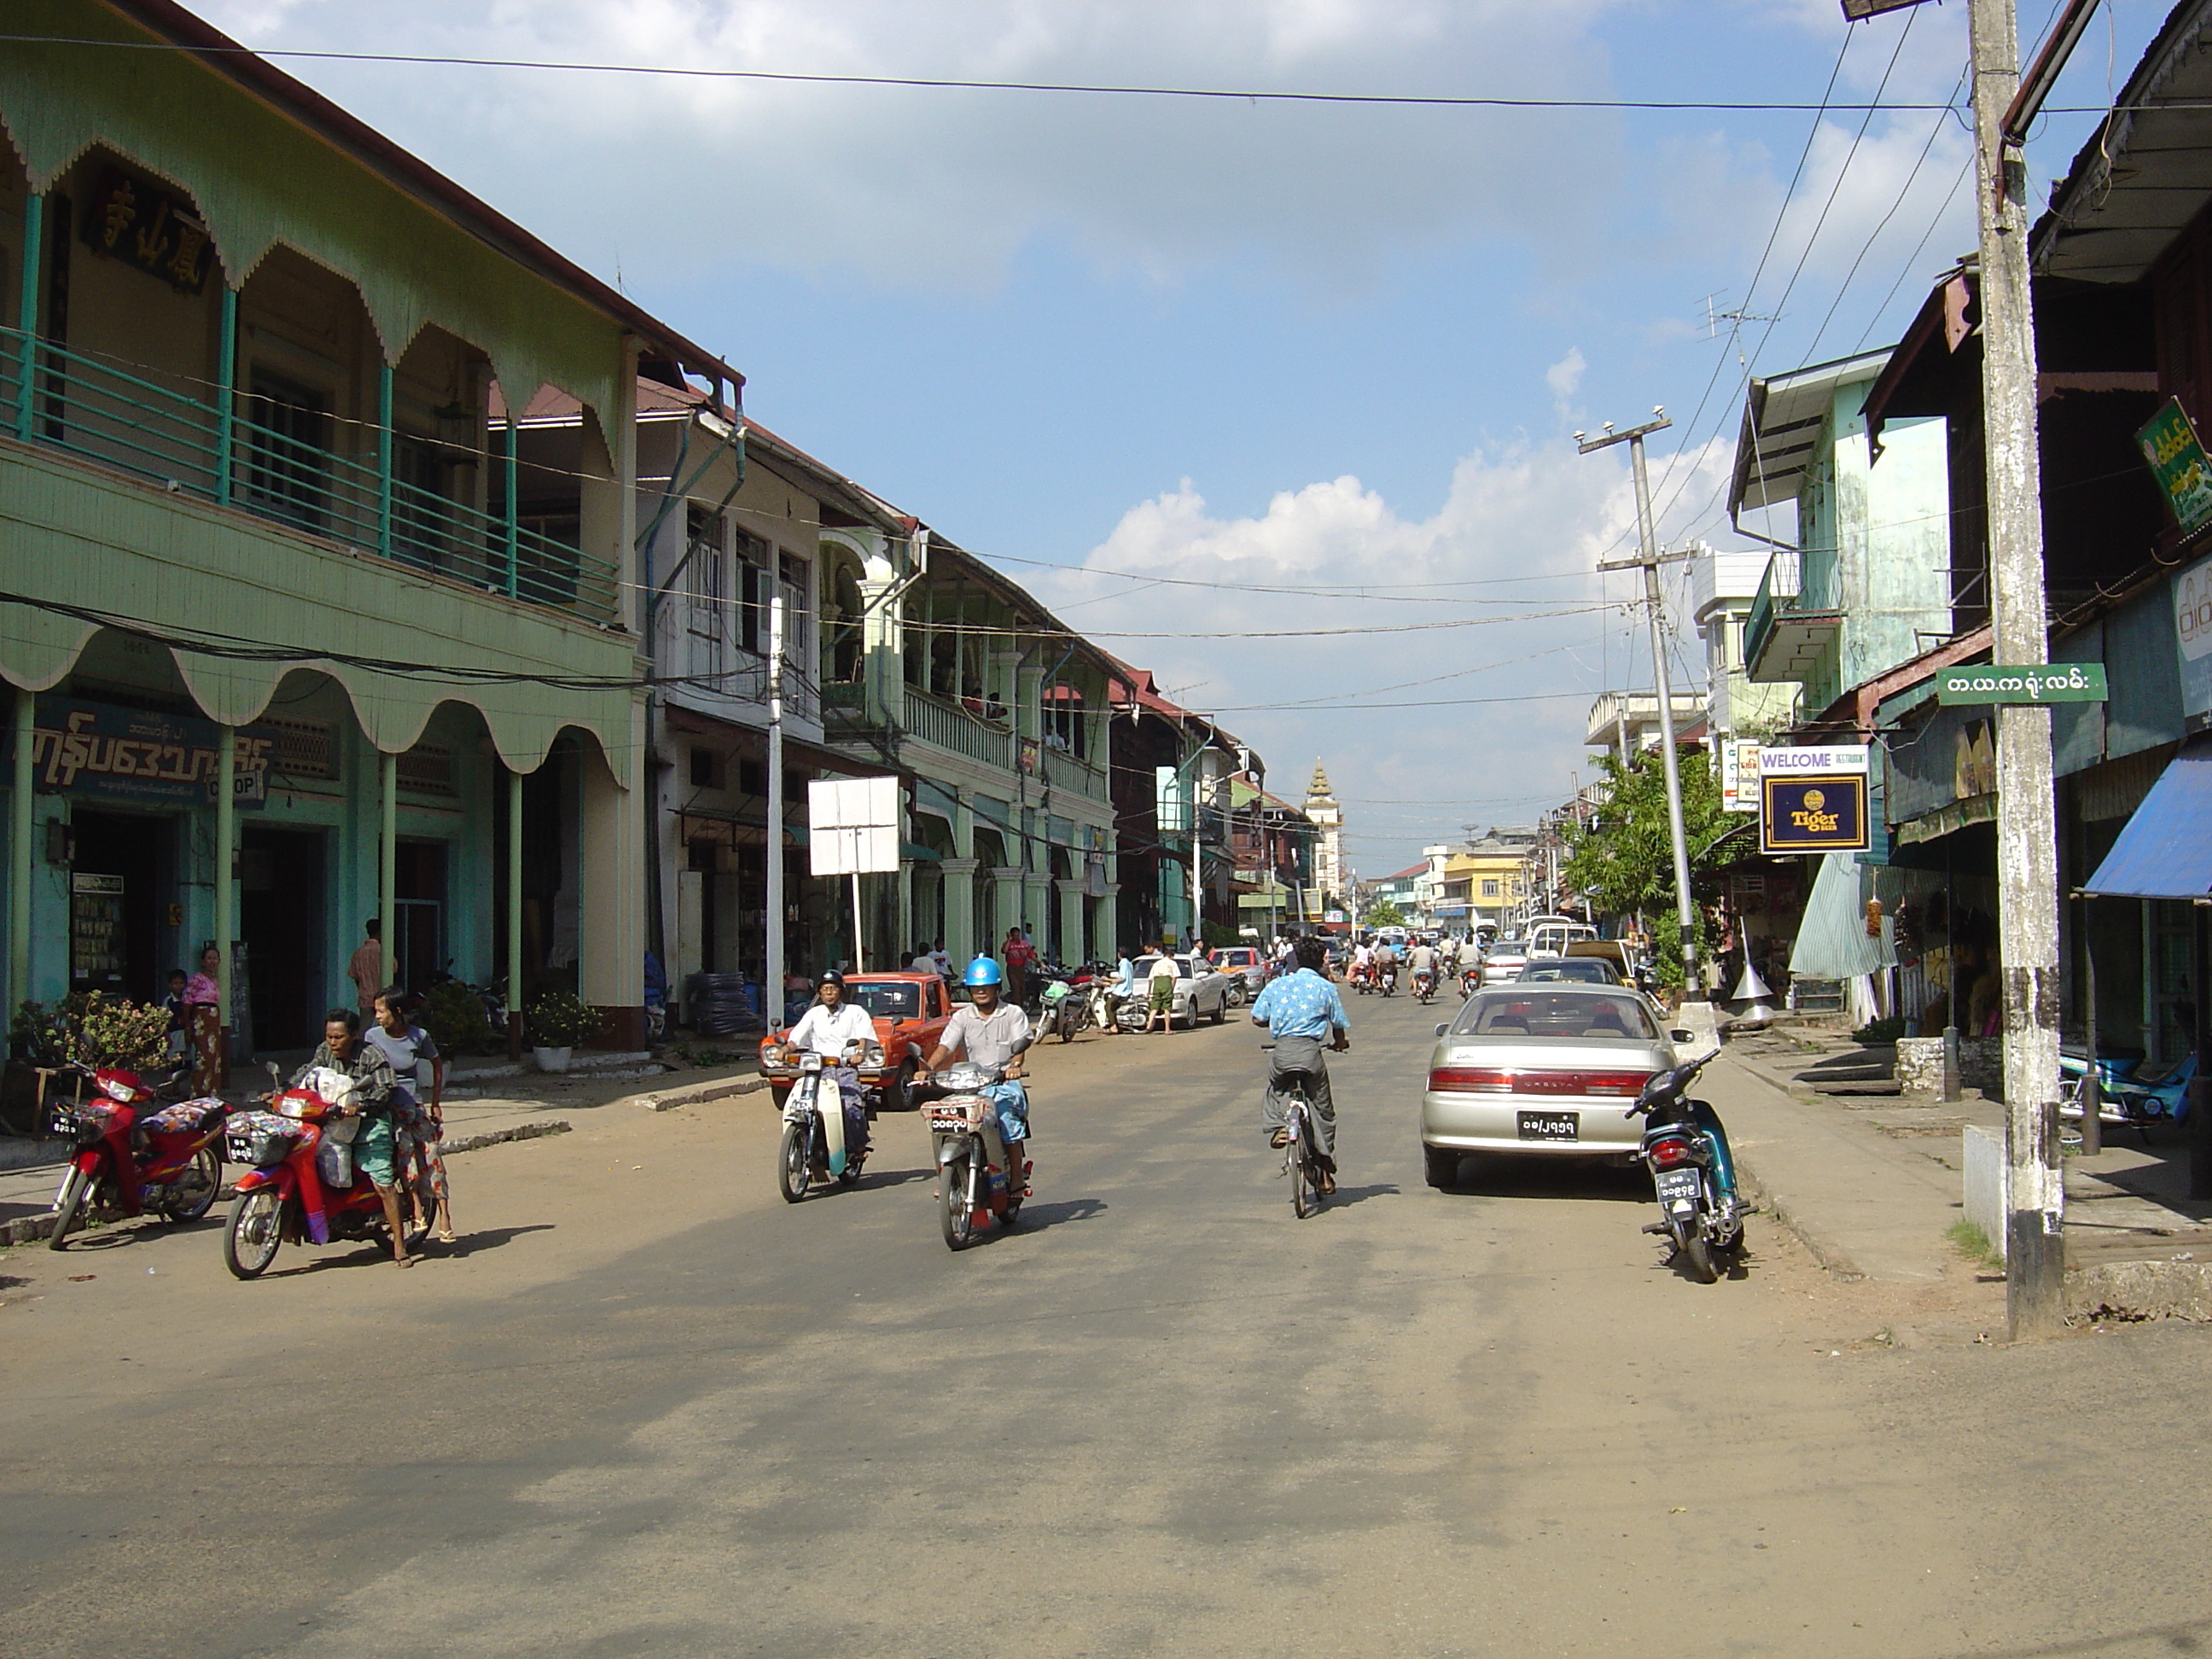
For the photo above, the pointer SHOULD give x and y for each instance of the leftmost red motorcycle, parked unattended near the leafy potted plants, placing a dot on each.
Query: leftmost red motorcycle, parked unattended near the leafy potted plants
(136, 1156)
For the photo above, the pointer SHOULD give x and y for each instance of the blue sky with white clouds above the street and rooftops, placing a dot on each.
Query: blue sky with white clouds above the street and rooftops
(1249, 344)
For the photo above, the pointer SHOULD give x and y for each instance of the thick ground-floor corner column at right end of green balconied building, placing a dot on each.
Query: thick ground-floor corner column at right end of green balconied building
(612, 921)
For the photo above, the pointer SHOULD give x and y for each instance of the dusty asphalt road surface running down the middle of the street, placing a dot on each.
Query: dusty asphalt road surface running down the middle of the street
(651, 1410)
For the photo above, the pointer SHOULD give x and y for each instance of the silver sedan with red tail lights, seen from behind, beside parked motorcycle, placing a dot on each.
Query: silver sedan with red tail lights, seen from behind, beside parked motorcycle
(1541, 1072)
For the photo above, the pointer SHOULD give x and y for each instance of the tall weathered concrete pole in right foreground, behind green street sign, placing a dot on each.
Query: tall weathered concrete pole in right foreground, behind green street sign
(2027, 833)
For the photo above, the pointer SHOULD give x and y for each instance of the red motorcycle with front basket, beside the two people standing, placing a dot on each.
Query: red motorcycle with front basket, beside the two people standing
(302, 1185)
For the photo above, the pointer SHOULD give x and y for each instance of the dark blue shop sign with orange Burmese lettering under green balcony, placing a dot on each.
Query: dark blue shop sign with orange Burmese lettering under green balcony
(140, 758)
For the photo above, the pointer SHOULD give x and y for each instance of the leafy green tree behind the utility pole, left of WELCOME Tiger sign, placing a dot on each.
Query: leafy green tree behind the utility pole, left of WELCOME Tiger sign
(1625, 857)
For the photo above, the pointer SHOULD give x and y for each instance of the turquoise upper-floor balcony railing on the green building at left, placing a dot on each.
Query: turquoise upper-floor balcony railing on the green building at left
(101, 413)
